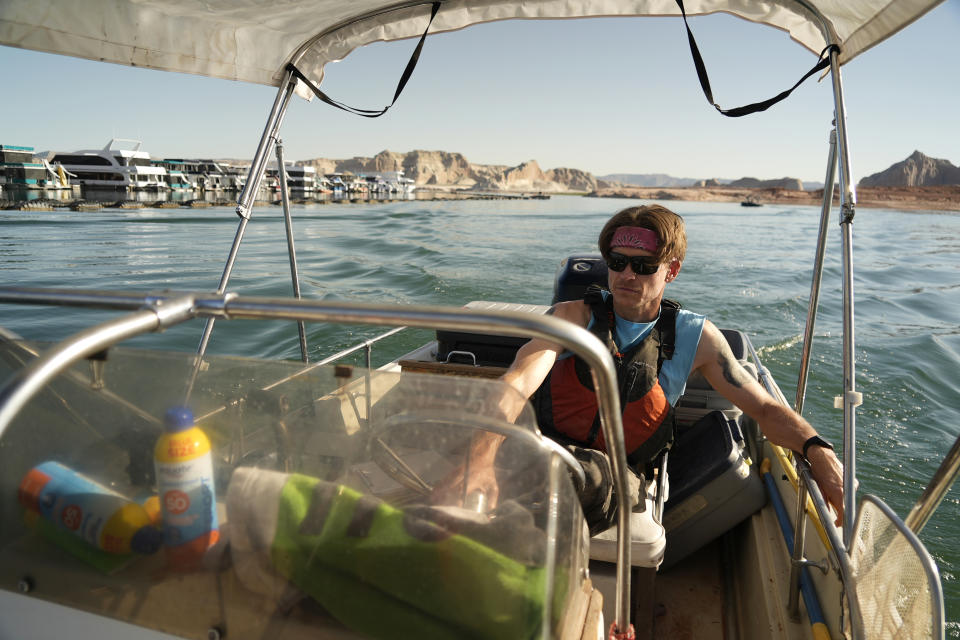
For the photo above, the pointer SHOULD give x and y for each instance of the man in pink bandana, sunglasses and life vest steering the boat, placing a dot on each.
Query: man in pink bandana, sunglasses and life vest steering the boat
(655, 345)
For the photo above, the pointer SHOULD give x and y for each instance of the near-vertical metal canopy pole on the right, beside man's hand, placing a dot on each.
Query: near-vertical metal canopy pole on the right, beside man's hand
(851, 399)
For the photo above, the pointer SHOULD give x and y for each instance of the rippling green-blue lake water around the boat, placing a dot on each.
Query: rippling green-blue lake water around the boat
(745, 268)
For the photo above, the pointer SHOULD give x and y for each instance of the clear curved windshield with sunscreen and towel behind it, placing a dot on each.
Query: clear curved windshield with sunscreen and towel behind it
(325, 513)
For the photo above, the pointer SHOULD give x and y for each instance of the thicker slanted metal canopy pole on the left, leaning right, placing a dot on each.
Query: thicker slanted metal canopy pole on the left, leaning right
(245, 203)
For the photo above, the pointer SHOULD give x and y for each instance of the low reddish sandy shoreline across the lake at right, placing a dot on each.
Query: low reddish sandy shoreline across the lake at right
(943, 198)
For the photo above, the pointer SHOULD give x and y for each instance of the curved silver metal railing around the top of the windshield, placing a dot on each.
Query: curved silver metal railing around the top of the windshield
(157, 312)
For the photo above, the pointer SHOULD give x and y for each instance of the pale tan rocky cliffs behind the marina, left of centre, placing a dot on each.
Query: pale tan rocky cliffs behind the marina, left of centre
(445, 169)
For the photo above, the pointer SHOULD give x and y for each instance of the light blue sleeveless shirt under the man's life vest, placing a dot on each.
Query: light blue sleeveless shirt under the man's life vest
(674, 372)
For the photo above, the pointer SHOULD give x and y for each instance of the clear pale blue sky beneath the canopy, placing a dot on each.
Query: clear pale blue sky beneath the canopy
(606, 96)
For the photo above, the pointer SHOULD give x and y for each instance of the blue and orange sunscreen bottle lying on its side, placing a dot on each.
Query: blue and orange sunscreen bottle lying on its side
(100, 516)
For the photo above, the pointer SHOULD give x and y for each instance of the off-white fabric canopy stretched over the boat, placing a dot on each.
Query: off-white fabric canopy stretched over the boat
(253, 40)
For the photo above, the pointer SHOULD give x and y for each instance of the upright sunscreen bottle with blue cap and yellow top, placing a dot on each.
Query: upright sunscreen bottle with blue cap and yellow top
(185, 482)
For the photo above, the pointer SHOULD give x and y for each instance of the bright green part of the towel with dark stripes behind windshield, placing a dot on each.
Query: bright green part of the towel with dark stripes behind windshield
(391, 575)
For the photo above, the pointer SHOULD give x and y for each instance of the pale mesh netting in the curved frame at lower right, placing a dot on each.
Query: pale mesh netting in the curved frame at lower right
(892, 587)
